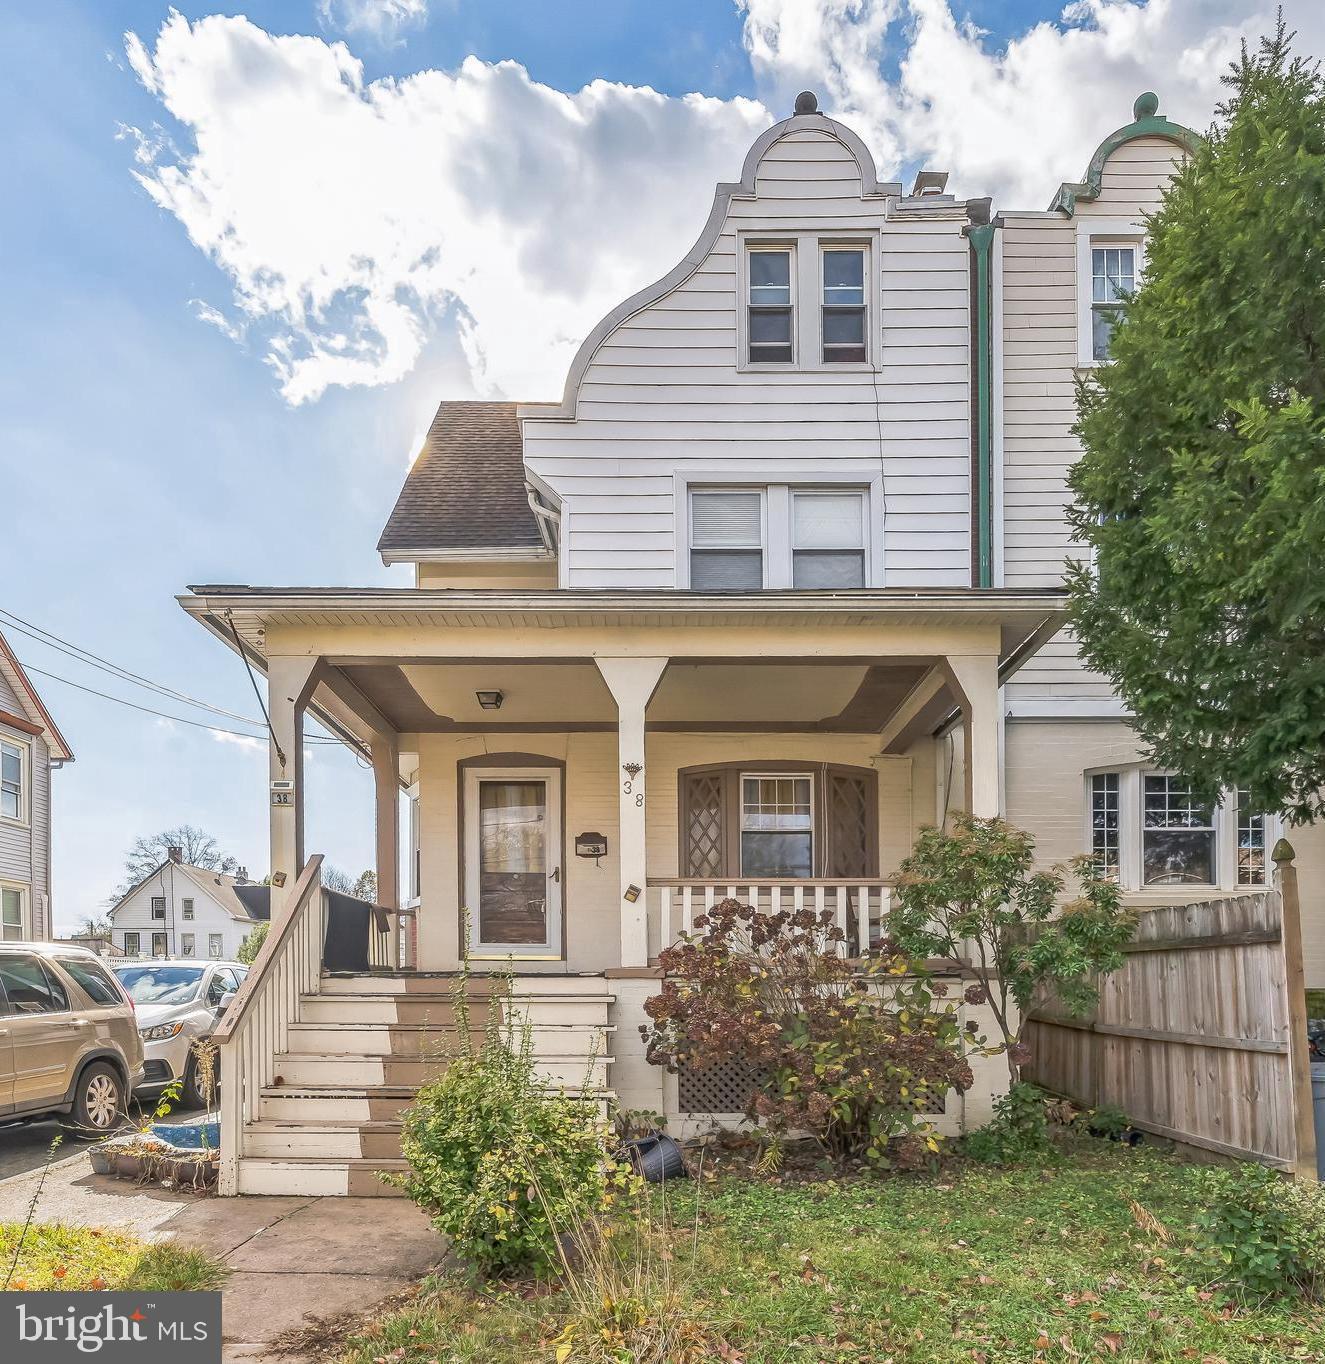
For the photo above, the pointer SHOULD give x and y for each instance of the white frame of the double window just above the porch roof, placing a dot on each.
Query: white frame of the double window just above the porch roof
(778, 515)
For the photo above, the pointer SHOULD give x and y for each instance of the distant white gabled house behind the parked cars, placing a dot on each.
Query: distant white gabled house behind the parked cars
(188, 912)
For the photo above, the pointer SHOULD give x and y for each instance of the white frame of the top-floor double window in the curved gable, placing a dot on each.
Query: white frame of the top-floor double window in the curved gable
(807, 299)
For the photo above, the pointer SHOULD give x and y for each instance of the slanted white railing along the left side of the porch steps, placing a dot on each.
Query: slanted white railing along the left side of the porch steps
(256, 1028)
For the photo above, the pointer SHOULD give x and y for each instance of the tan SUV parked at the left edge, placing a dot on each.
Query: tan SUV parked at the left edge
(69, 1037)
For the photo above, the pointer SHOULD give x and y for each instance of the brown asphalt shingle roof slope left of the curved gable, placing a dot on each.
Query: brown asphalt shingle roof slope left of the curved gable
(466, 492)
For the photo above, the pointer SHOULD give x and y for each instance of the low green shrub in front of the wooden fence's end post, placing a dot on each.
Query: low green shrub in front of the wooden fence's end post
(1264, 1234)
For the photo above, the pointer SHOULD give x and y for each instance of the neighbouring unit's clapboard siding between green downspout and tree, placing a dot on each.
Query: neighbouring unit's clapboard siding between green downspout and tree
(1039, 261)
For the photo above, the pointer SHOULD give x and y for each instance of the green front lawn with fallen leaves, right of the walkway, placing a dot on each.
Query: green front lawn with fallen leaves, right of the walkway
(1086, 1257)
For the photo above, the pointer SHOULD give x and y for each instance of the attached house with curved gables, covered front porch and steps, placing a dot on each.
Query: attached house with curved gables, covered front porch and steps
(774, 584)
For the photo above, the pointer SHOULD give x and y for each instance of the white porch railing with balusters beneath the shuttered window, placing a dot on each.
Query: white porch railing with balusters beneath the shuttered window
(859, 908)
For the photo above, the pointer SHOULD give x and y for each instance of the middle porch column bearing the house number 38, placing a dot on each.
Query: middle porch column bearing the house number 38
(632, 684)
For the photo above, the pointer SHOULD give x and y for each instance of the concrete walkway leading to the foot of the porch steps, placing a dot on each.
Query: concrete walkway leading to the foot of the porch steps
(291, 1258)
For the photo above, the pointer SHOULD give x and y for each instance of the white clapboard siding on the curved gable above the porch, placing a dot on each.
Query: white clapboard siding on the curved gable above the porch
(664, 395)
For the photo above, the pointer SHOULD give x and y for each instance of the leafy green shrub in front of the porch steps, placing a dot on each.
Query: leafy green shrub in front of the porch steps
(507, 1170)
